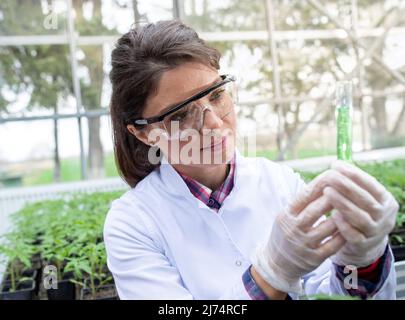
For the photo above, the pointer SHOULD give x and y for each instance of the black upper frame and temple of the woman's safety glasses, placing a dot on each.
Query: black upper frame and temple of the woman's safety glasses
(226, 78)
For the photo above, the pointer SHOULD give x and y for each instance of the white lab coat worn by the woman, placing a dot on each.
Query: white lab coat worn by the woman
(163, 243)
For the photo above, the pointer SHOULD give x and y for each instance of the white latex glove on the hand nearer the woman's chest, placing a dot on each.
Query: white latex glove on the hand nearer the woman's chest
(296, 246)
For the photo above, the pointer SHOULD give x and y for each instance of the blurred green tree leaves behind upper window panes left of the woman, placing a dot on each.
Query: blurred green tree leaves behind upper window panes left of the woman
(44, 70)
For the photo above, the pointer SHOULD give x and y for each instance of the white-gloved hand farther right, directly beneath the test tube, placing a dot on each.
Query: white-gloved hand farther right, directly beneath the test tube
(364, 212)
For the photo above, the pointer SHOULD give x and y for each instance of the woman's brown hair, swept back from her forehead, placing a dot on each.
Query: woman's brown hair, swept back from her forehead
(138, 61)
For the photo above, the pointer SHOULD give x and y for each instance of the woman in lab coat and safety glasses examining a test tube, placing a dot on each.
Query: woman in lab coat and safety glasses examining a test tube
(203, 222)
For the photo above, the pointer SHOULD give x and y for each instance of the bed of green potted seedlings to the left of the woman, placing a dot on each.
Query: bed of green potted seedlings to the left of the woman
(67, 233)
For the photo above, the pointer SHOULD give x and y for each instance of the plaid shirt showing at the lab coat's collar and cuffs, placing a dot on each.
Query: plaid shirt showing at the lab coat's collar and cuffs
(370, 279)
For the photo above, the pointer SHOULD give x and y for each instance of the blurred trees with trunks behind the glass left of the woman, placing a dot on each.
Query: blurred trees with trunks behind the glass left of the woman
(39, 77)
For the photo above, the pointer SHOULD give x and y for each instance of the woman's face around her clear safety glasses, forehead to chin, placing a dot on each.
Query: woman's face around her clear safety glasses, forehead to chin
(214, 143)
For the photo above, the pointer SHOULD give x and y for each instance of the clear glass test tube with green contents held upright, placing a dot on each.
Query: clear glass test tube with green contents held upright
(344, 111)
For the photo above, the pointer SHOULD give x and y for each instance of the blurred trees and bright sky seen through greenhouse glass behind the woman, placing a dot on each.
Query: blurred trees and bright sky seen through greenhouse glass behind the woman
(296, 122)
